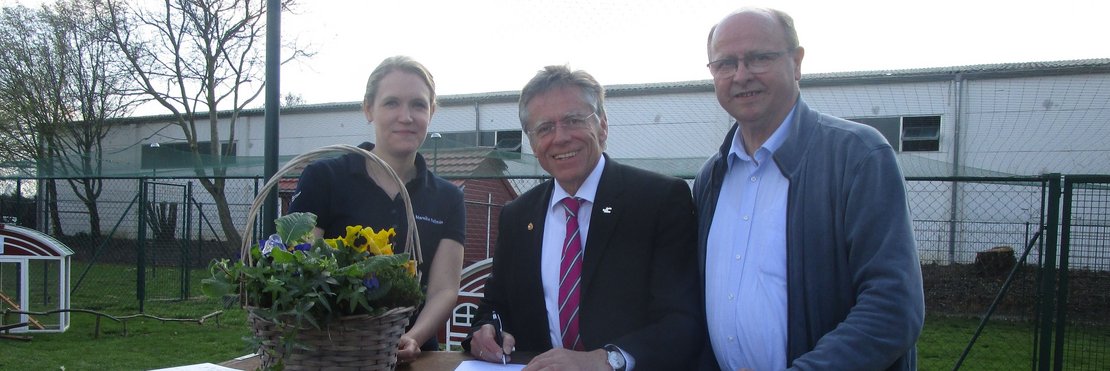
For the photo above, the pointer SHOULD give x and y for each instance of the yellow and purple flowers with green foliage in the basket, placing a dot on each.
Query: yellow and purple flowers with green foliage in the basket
(299, 280)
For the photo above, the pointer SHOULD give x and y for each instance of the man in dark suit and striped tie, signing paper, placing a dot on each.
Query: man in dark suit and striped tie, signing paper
(637, 304)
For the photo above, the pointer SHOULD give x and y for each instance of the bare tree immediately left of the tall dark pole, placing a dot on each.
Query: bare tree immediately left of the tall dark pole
(197, 58)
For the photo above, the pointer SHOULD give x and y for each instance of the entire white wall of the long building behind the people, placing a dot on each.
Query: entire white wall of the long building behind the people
(1015, 126)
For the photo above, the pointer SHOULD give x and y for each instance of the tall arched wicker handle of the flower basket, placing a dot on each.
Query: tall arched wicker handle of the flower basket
(412, 240)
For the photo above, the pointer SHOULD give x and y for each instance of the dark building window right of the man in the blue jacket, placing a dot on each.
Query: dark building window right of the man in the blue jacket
(913, 134)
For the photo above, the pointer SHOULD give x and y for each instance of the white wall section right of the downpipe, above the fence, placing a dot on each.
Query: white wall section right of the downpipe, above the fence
(1040, 125)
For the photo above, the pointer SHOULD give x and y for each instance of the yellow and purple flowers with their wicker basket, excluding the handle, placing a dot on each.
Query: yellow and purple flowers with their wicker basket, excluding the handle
(319, 303)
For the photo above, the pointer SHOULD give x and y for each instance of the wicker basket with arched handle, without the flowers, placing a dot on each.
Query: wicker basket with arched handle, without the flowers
(356, 343)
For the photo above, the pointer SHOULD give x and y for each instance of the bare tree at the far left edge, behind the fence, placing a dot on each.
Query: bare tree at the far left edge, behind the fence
(62, 82)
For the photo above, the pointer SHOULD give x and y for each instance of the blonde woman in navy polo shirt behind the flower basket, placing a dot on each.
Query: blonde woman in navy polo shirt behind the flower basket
(399, 104)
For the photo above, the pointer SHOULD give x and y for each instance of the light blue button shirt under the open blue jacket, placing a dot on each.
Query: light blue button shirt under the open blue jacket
(746, 260)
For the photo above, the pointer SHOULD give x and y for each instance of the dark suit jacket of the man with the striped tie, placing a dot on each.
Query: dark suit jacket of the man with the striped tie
(640, 274)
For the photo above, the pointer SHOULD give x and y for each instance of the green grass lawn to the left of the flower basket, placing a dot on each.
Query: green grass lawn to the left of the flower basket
(138, 344)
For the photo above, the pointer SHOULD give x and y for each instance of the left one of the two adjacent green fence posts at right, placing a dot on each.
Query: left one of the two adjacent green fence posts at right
(1048, 284)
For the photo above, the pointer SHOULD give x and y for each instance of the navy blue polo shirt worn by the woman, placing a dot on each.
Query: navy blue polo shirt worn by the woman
(341, 194)
